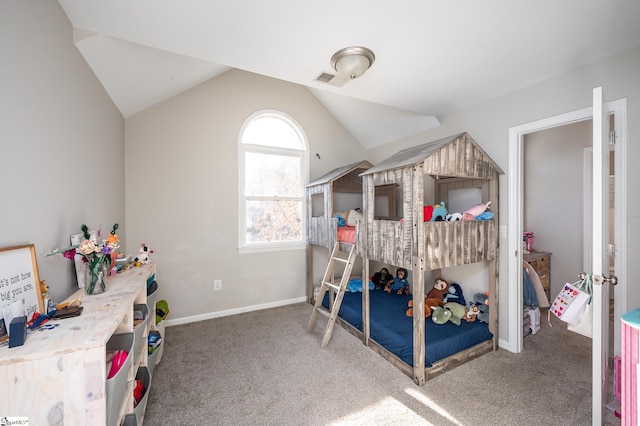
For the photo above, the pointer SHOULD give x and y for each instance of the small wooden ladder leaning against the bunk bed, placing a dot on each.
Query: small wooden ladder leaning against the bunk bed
(329, 283)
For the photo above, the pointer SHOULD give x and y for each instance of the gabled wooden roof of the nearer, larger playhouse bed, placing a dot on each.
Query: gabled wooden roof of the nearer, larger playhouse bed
(455, 156)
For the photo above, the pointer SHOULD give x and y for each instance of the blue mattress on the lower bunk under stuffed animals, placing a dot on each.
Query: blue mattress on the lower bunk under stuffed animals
(393, 329)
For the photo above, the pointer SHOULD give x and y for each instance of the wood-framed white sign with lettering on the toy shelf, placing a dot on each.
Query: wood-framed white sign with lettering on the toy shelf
(20, 292)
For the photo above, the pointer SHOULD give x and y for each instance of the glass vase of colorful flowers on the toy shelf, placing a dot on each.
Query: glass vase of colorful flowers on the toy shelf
(97, 258)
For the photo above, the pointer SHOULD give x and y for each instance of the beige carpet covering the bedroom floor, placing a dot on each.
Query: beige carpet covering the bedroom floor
(262, 368)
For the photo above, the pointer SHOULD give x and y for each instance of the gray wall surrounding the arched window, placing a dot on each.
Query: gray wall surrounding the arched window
(182, 192)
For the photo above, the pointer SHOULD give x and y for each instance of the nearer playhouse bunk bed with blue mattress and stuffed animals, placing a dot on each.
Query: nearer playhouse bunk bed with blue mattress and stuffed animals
(428, 338)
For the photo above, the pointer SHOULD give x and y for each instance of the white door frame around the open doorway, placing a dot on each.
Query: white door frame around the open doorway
(515, 207)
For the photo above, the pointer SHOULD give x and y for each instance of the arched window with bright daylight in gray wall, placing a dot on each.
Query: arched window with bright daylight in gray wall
(272, 158)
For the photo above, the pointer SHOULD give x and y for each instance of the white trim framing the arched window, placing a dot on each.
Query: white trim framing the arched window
(243, 247)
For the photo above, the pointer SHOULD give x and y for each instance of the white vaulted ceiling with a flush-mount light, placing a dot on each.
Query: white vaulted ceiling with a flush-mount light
(433, 57)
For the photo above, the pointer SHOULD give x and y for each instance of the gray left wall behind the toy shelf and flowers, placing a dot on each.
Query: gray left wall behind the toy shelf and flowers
(61, 140)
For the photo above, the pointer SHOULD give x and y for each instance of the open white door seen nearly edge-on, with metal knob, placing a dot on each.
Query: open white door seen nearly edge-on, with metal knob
(600, 256)
